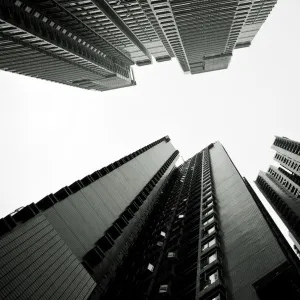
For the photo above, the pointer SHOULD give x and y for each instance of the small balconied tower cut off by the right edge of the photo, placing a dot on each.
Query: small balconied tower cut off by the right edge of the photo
(281, 186)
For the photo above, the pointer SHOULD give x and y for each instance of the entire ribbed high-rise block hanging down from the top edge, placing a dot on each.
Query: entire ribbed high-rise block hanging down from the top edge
(92, 44)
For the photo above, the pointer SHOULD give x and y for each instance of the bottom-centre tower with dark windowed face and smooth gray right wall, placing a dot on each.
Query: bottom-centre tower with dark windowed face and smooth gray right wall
(207, 238)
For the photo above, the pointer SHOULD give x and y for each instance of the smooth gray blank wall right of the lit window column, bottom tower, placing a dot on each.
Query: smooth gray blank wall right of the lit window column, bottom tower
(250, 248)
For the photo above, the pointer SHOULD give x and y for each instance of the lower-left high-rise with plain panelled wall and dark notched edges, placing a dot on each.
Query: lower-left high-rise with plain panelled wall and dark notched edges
(47, 248)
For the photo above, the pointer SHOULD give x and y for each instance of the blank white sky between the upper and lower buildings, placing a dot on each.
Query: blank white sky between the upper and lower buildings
(52, 135)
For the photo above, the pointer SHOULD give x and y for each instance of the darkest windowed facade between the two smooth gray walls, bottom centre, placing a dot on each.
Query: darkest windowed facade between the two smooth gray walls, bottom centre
(175, 253)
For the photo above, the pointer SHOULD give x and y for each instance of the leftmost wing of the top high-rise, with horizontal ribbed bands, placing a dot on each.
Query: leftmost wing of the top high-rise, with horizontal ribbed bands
(33, 44)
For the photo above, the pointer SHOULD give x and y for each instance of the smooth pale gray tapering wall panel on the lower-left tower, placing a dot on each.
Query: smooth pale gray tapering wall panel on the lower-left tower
(82, 218)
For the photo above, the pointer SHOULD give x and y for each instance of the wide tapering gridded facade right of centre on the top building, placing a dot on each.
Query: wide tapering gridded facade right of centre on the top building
(204, 28)
